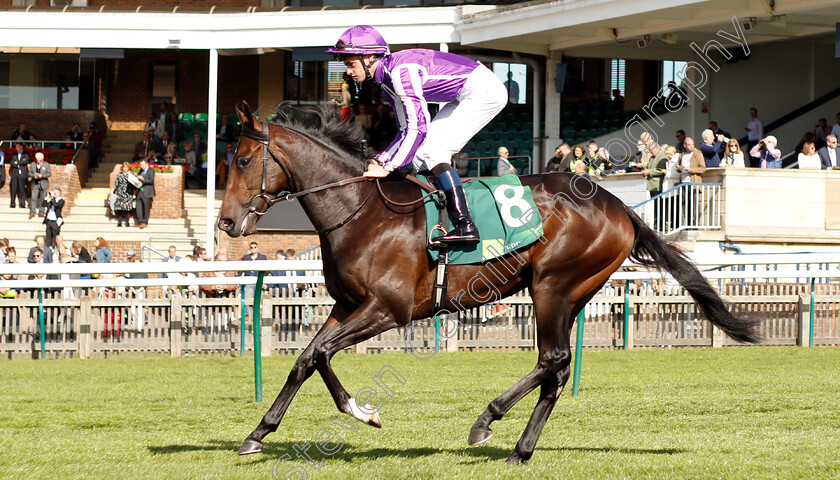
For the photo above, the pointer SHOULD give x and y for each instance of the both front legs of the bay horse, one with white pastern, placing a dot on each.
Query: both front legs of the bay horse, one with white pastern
(340, 331)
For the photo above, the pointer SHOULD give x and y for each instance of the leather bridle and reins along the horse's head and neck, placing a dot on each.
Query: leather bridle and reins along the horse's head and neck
(285, 195)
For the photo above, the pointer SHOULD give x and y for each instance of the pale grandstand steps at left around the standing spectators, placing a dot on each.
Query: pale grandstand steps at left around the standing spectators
(89, 218)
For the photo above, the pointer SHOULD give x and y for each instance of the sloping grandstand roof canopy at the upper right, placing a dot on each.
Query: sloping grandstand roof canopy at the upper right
(611, 28)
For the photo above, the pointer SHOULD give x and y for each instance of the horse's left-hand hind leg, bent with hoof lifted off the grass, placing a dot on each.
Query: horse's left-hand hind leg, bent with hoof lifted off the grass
(547, 366)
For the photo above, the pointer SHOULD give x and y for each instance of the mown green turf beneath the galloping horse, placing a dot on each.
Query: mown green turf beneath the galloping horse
(758, 412)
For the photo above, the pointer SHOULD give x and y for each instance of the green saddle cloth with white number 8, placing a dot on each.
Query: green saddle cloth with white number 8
(503, 210)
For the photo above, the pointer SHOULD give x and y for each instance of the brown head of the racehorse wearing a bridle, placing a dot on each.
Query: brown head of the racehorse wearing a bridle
(257, 175)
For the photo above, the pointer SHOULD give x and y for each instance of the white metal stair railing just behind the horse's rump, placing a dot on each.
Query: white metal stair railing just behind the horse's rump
(688, 206)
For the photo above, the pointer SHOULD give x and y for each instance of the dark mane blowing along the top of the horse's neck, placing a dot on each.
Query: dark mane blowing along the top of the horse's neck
(323, 121)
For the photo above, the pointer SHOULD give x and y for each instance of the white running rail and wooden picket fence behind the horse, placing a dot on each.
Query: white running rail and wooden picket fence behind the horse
(126, 317)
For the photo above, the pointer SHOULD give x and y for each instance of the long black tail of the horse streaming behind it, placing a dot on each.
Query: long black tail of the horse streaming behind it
(650, 250)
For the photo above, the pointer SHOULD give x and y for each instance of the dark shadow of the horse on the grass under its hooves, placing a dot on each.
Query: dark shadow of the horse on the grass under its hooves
(349, 452)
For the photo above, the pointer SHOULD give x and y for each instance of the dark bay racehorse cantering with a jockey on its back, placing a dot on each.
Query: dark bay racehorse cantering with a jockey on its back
(378, 271)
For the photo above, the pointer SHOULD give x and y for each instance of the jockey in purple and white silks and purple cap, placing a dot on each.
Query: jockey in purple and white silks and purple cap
(410, 79)
